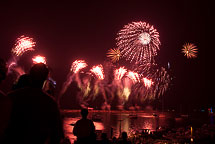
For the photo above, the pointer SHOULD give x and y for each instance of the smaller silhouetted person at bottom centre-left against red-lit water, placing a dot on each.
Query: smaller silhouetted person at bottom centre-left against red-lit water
(84, 129)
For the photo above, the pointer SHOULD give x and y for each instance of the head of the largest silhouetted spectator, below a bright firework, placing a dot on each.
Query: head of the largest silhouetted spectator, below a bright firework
(39, 73)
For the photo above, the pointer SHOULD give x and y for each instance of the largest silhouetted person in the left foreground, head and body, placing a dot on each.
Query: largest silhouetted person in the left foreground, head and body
(35, 117)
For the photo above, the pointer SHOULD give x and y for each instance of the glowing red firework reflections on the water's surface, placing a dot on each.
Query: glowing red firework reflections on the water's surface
(118, 122)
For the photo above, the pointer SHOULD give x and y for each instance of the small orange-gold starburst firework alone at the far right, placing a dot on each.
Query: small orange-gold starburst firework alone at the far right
(189, 50)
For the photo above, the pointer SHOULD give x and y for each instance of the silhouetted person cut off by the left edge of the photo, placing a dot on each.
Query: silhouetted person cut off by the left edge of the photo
(5, 103)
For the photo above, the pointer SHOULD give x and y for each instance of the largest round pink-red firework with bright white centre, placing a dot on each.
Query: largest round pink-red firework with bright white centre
(138, 41)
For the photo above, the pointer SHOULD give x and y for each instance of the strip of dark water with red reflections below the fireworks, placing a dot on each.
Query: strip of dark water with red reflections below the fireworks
(115, 122)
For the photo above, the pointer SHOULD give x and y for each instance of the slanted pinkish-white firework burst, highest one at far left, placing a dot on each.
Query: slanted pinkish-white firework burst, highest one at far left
(22, 45)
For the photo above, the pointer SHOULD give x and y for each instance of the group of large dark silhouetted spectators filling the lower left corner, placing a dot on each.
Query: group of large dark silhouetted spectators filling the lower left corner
(28, 114)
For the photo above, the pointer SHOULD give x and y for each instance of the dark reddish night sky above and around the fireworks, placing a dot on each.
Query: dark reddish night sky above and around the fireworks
(67, 30)
